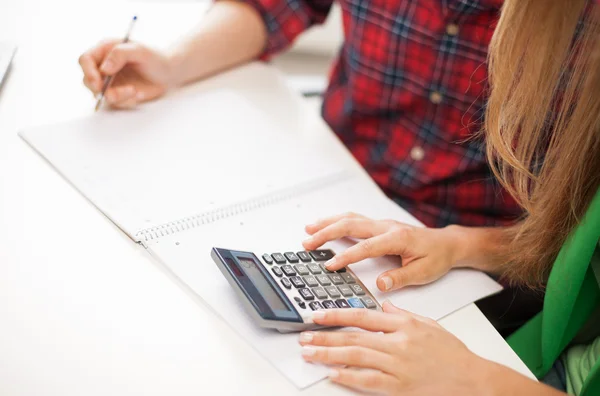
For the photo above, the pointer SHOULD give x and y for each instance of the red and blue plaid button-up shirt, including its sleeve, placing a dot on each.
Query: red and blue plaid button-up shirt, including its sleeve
(407, 89)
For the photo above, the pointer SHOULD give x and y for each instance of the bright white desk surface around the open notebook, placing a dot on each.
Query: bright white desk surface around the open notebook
(78, 320)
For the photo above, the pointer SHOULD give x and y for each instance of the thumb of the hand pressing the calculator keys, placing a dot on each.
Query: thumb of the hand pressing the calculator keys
(418, 272)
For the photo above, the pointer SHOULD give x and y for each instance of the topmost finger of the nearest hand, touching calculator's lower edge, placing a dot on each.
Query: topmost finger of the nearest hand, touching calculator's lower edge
(362, 318)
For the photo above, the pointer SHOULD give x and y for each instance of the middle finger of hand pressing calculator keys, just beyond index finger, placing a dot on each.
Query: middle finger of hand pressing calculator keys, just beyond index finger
(345, 227)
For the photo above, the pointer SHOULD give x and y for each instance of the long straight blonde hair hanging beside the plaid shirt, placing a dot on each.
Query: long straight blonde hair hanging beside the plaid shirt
(543, 124)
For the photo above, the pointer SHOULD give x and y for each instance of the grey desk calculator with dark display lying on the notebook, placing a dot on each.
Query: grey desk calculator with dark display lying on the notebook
(280, 290)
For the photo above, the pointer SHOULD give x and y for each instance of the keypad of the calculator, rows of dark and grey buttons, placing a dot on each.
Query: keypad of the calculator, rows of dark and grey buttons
(317, 286)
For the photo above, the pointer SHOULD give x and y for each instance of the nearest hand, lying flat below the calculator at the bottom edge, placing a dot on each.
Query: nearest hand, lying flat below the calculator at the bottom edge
(413, 355)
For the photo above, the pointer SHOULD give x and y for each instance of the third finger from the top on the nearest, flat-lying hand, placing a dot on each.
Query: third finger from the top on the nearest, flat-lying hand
(349, 356)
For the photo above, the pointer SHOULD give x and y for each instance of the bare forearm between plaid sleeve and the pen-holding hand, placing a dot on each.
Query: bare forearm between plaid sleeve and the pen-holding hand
(230, 34)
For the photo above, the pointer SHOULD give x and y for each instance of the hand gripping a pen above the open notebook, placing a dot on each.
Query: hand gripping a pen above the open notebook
(141, 73)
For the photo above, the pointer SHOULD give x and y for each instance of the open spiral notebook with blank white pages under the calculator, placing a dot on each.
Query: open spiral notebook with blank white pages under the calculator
(237, 161)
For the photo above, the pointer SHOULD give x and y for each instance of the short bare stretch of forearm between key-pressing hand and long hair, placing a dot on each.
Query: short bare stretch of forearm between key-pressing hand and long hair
(481, 248)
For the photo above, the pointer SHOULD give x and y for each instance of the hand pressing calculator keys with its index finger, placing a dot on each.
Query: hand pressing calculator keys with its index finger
(427, 253)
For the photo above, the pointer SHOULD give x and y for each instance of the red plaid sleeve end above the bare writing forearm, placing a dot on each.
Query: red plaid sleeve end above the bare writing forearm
(286, 19)
